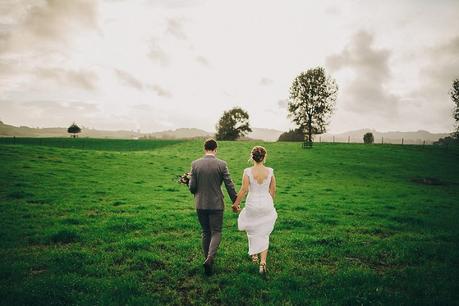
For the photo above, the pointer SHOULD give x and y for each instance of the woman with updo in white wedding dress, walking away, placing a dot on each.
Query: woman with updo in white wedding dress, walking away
(258, 216)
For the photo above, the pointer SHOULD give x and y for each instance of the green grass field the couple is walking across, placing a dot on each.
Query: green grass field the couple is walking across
(104, 223)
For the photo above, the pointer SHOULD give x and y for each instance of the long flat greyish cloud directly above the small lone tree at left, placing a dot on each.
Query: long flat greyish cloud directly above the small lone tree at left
(83, 79)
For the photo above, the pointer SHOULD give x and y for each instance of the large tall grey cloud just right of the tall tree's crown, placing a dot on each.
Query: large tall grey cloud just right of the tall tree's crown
(367, 92)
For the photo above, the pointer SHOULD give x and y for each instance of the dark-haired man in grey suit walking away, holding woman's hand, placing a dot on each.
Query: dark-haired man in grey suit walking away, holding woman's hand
(207, 175)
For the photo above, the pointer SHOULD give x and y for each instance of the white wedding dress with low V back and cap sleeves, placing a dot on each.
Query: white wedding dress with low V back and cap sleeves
(258, 216)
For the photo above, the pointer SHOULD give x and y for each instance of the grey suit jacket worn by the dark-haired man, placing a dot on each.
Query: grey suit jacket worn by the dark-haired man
(207, 175)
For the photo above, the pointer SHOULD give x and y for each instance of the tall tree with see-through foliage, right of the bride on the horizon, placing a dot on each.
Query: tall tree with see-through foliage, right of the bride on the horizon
(312, 101)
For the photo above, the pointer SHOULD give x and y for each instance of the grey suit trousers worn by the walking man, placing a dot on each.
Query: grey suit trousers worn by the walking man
(211, 221)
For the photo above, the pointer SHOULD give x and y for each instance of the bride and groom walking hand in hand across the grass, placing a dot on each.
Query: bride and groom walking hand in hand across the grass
(258, 216)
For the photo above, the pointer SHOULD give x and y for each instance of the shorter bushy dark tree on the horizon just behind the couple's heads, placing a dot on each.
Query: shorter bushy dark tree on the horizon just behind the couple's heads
(233, 124)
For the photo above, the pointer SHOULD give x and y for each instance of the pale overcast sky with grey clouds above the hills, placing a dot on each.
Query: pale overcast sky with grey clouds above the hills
(155, 65)
